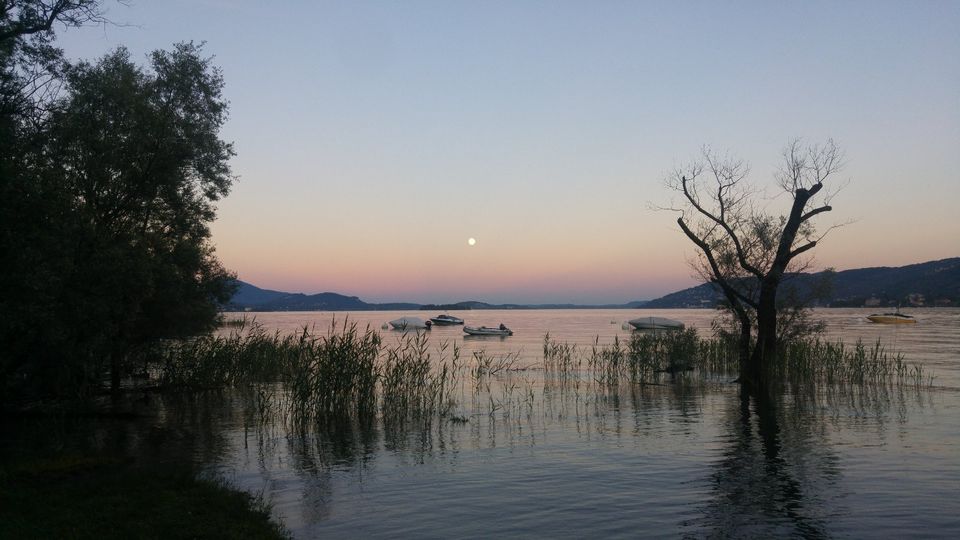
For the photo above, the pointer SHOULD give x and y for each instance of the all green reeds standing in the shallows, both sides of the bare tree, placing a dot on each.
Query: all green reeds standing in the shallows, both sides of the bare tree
(350, 373)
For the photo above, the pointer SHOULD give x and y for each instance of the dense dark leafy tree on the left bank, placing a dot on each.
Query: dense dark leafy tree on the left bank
(108, 176)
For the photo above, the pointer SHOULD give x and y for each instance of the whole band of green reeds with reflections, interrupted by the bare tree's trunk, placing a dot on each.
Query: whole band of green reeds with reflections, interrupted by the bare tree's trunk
(348, 380)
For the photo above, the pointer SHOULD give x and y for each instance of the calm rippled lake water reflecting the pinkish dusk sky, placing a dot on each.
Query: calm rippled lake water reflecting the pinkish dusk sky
(665, 460)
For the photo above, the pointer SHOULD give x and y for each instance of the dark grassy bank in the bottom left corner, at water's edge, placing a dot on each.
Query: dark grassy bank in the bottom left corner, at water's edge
(77, 496)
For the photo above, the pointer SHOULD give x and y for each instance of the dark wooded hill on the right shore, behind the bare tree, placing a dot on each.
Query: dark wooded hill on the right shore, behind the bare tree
(933, 283)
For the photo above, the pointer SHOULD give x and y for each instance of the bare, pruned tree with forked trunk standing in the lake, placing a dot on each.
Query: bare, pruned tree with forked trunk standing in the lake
(749, 253)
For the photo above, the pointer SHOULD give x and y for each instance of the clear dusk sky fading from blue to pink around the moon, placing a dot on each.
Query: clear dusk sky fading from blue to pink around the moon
(374, 139)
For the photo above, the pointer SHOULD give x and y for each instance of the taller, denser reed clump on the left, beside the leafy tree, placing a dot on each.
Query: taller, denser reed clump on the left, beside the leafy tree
(345, 372)
